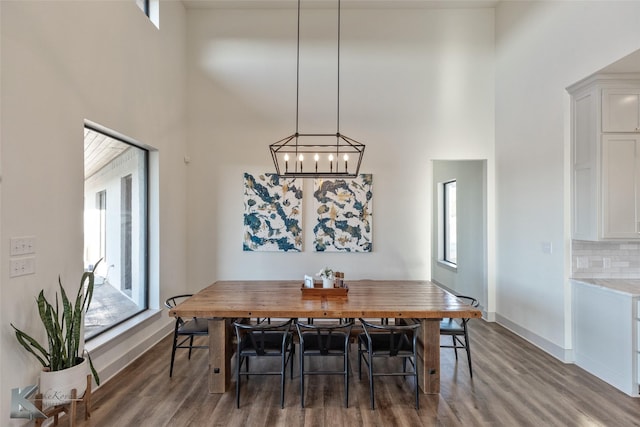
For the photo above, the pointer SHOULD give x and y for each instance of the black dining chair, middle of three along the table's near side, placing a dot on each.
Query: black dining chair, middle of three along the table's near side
(325, 340)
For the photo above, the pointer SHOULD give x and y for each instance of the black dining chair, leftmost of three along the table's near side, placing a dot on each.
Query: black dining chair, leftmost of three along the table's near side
(264, 340)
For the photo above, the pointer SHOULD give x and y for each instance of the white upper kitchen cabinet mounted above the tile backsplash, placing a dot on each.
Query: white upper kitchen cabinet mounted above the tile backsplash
(605, 164)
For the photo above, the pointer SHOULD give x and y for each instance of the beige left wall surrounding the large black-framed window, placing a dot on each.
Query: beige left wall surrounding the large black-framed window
(63, 62)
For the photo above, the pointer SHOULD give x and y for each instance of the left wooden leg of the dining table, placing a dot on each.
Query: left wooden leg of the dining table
(220, 352)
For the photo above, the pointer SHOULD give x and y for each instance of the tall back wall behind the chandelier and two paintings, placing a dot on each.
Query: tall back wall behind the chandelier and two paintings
(415, 85)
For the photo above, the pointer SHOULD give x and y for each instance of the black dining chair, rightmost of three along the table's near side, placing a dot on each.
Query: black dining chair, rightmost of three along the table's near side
(388, 341)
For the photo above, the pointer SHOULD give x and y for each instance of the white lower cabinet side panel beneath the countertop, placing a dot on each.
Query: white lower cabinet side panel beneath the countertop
(605, 334)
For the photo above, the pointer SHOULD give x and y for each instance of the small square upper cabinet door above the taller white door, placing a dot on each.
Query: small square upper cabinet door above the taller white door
(621, 110)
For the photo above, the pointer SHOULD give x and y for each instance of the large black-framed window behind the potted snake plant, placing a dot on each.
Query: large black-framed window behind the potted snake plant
(115, 228)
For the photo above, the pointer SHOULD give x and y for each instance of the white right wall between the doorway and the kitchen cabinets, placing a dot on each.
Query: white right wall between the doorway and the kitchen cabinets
(541, 48)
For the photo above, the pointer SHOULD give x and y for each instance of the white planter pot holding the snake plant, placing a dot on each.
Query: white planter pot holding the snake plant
(56, 386)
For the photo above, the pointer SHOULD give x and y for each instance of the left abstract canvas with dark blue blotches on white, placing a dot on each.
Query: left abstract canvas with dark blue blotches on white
(272, 213)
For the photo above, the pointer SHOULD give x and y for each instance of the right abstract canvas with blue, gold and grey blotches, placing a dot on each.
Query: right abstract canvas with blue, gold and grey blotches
(344, 214)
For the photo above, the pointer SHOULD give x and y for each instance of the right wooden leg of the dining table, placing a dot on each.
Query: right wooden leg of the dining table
(429, 356)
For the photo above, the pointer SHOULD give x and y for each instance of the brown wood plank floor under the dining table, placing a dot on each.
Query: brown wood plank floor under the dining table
(514, 384)
